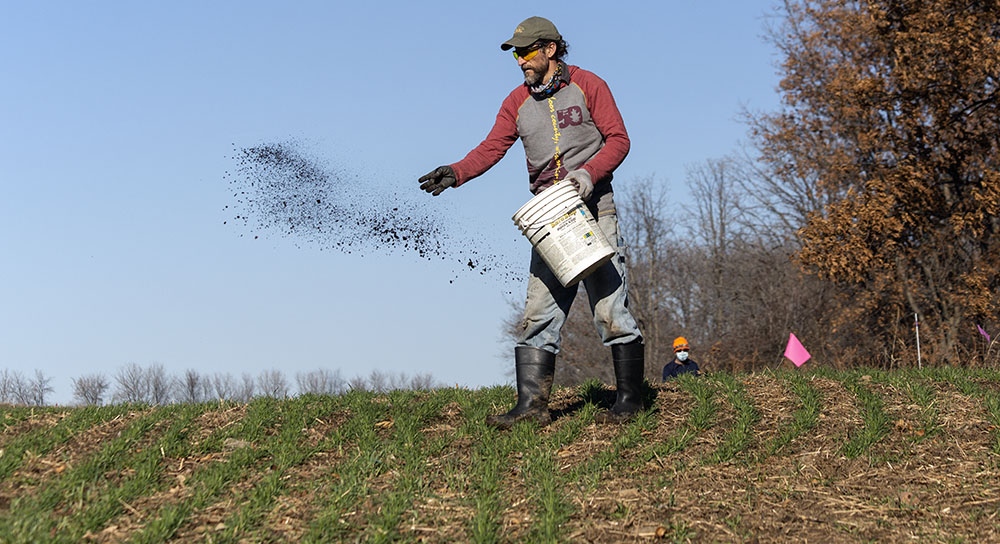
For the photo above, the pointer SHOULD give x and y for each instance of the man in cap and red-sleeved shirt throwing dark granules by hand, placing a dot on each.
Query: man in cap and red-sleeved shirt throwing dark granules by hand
(572, 131)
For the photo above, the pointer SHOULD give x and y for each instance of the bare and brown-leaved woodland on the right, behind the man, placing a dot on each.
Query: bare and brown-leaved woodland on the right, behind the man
(871, 197)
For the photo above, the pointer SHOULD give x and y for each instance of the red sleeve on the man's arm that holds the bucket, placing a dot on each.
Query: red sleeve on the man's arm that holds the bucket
(608, 121)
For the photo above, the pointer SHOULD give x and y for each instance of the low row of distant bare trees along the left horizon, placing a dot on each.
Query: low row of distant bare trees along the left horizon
(153, 384)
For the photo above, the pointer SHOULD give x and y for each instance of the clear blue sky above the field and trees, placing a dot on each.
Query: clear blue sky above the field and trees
(118, 122)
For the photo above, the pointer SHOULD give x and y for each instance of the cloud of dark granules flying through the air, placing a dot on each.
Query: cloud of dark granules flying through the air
(282, 189)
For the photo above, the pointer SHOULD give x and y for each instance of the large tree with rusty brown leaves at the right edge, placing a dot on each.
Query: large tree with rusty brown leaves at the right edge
(892, 112)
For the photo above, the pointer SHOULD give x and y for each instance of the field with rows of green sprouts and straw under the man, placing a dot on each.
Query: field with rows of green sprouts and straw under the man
(768, 457)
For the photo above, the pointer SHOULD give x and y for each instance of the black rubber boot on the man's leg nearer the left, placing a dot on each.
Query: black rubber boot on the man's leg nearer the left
(534, 368)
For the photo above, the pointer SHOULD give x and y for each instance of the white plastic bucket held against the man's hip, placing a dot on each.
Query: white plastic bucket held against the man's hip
(564, 233)
